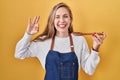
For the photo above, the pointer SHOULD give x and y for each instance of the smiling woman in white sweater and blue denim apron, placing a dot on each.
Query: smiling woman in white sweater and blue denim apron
(59, 50)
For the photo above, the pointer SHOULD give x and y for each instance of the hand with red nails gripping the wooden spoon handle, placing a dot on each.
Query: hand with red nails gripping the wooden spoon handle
(98, 40)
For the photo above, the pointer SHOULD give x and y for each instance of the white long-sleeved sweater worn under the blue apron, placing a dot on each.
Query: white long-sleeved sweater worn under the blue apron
(87, 60)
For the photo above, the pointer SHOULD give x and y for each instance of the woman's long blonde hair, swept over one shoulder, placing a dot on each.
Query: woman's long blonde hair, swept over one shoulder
(50, 30)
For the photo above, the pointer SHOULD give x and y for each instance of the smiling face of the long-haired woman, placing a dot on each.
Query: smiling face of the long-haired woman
(62, 20)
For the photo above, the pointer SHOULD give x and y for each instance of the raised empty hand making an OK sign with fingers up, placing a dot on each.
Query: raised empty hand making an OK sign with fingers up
(33, 26)
